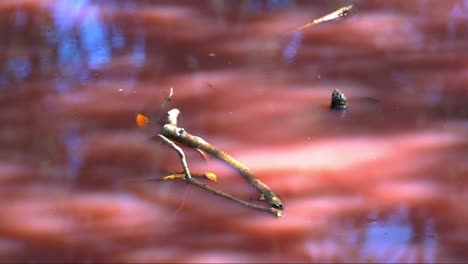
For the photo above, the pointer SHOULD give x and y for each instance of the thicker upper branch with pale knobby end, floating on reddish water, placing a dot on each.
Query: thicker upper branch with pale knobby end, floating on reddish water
(173, 132)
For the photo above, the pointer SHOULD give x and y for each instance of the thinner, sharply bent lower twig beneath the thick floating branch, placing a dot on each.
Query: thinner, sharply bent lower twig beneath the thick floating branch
(191, 180)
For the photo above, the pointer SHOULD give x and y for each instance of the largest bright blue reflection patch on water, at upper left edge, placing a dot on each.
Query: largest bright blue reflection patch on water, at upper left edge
(82, 41)
